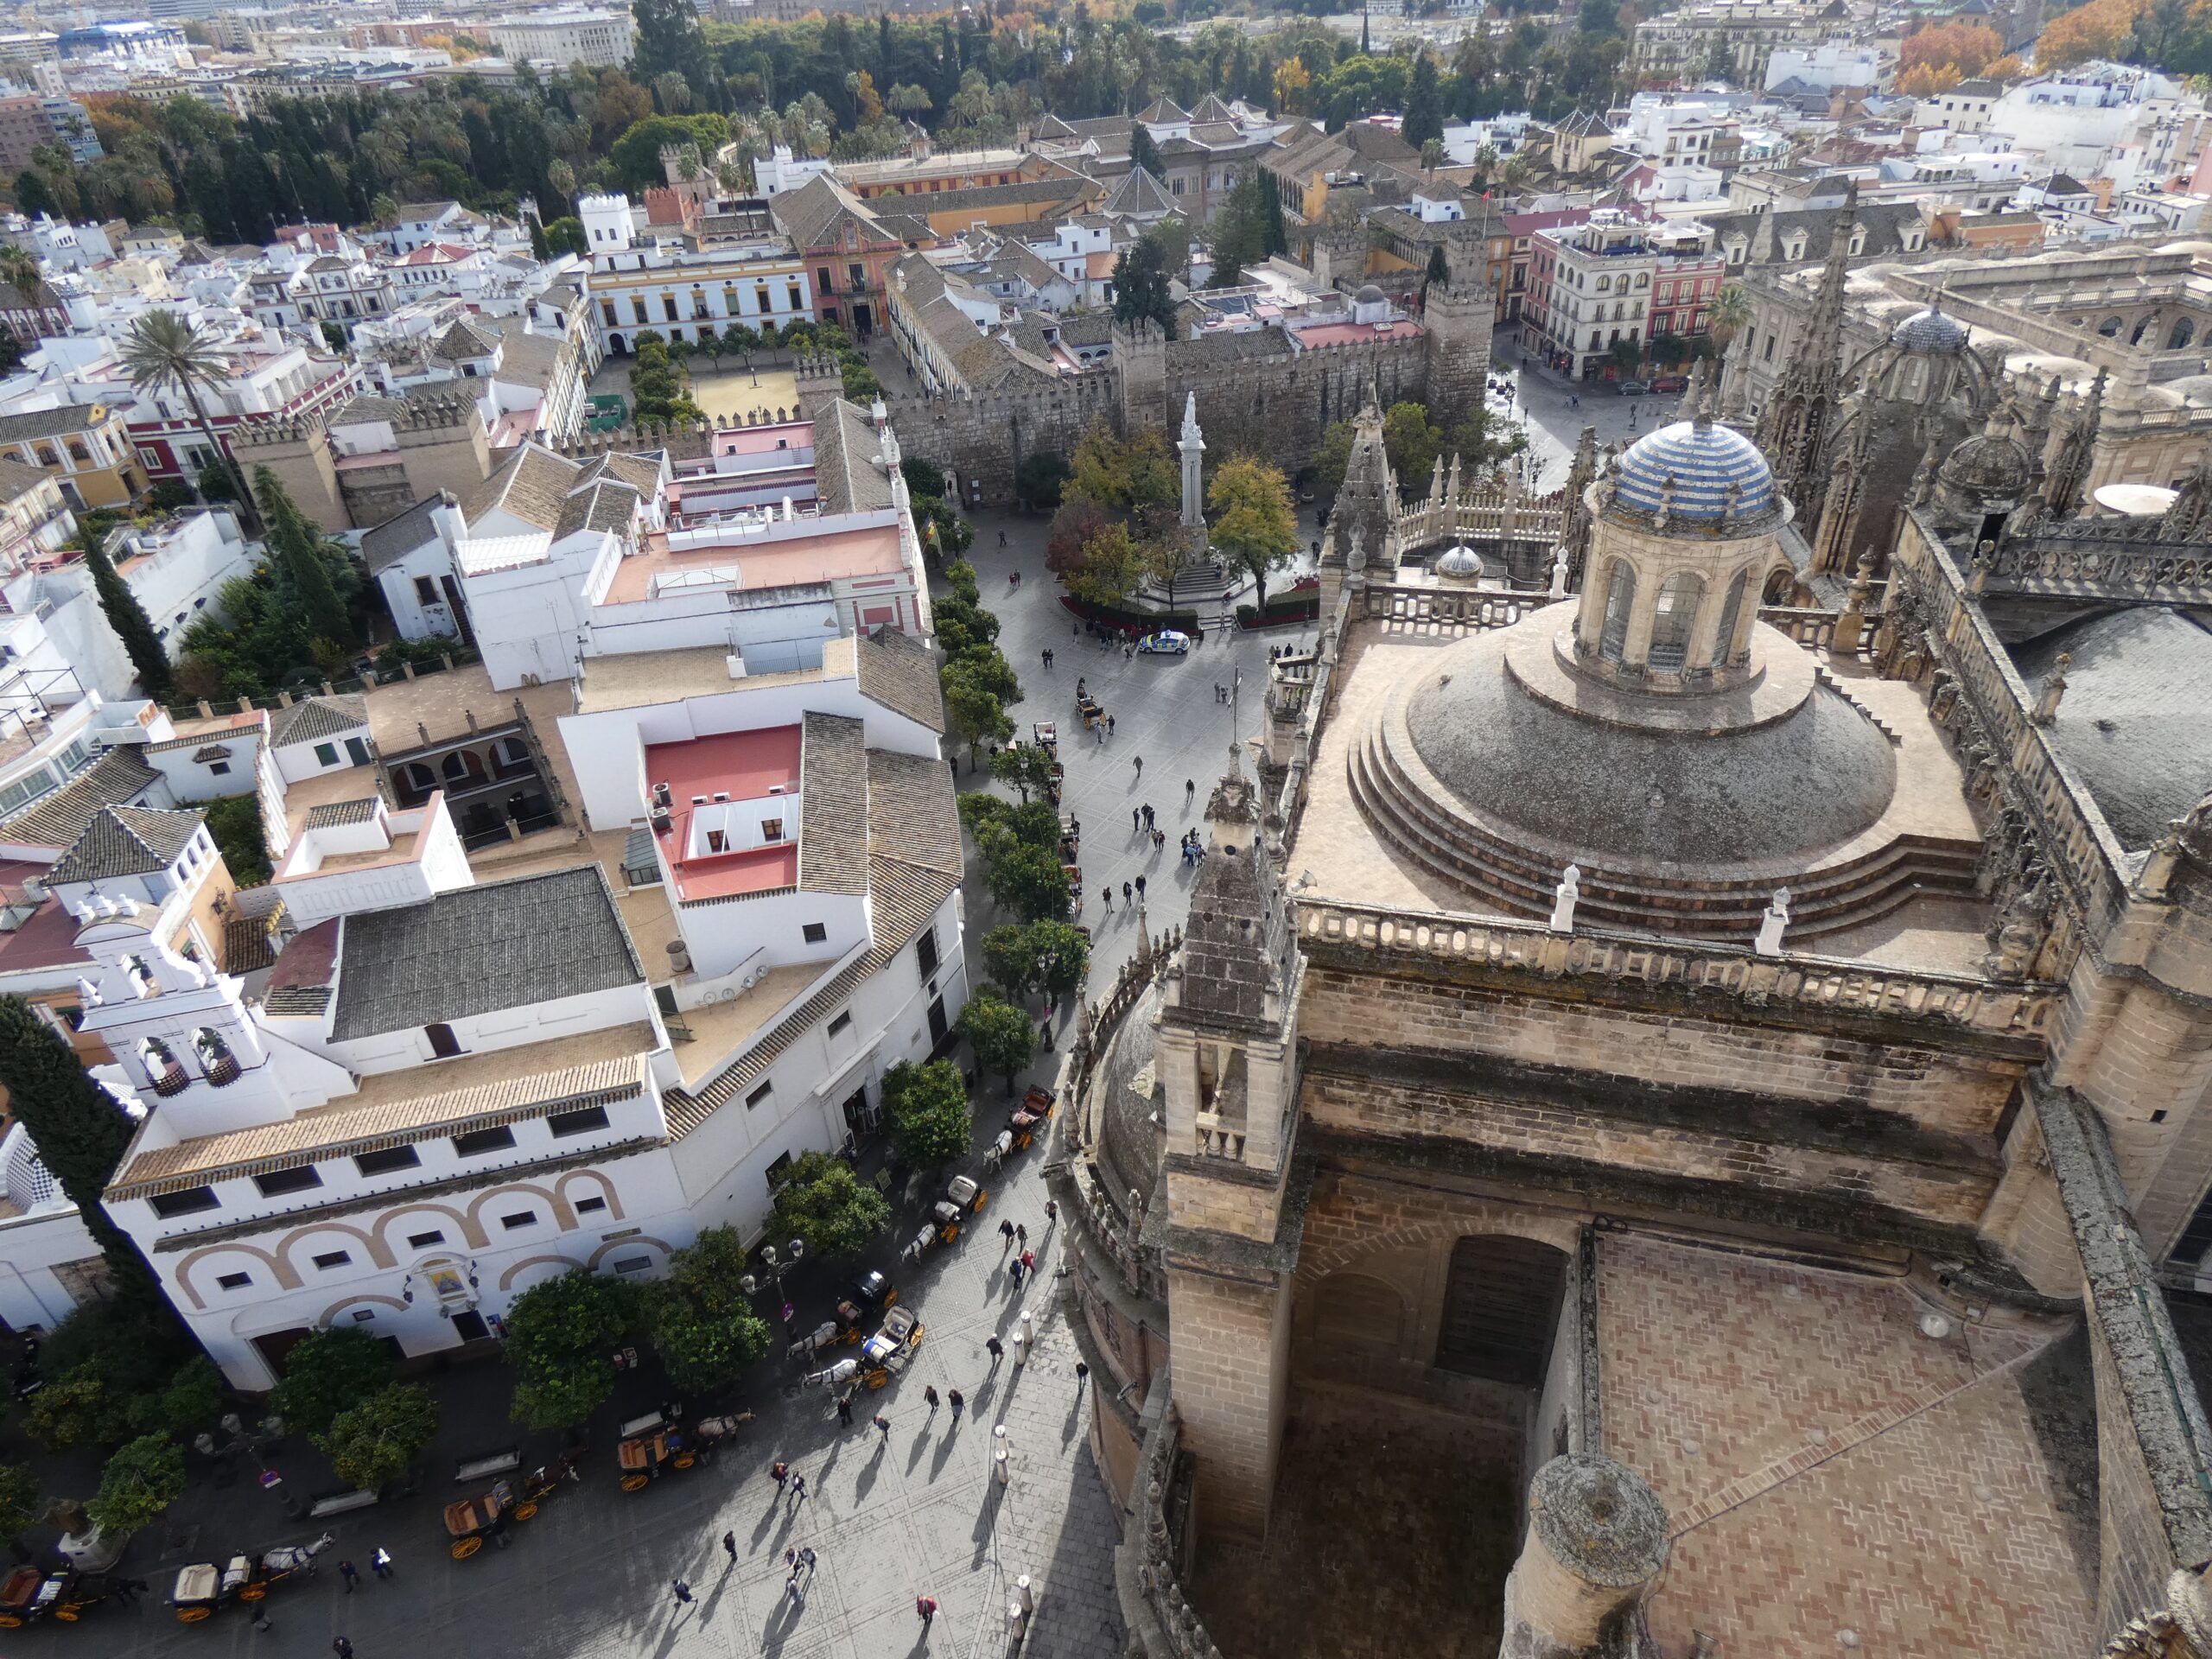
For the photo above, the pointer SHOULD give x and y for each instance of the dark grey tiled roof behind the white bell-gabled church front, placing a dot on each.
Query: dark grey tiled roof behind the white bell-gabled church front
(479, 950)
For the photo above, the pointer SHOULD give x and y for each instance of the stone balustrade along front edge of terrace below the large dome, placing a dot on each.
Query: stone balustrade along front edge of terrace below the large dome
(1600, 954)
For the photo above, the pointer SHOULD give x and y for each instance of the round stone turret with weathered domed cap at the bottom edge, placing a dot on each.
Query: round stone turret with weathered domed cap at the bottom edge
(1594, 1552)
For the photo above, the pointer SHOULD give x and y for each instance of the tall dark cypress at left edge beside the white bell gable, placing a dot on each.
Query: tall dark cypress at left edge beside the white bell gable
(79, 1129)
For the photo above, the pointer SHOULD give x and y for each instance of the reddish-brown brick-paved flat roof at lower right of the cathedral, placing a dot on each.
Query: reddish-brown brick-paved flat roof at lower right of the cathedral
(1830, 1470)
